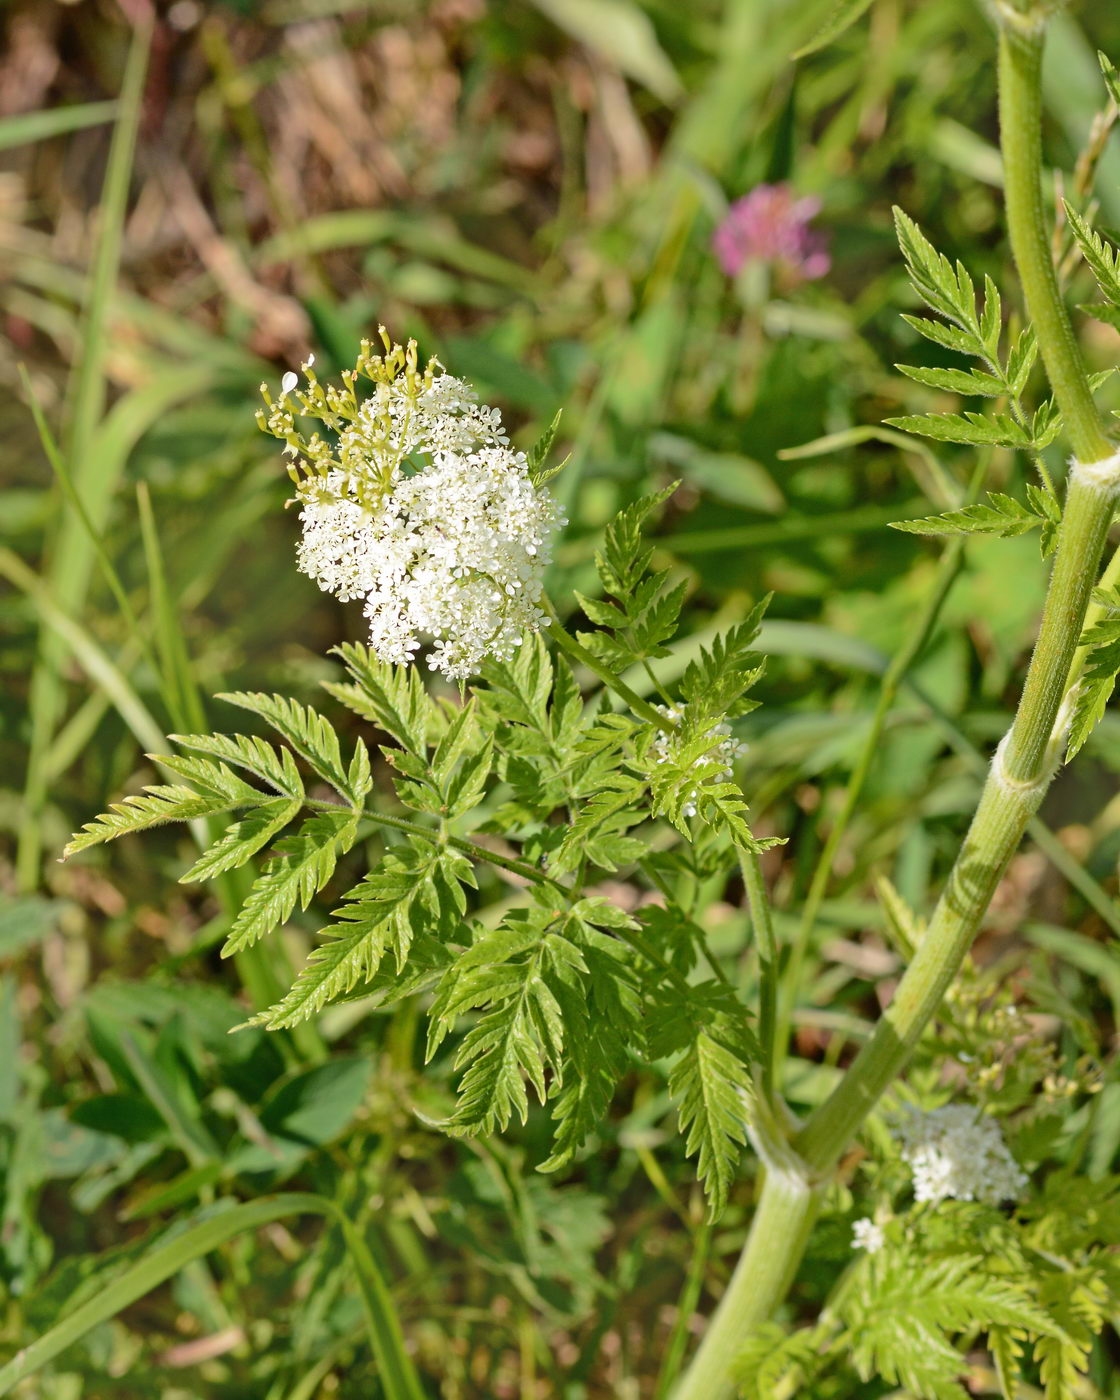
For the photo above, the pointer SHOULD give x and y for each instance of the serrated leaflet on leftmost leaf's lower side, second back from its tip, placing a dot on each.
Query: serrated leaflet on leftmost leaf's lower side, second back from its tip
(300, 866)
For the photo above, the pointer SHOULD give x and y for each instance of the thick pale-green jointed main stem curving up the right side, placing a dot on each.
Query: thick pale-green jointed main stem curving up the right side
(1017, 782)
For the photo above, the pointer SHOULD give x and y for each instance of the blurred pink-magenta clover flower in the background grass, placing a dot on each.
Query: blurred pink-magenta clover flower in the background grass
(771, 226)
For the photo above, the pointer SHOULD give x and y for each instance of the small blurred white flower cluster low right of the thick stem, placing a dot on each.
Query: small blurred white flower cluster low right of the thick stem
(958, 1153)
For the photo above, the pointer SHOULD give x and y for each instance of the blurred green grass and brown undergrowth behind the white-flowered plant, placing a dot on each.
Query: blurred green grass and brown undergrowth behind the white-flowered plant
(531, 191)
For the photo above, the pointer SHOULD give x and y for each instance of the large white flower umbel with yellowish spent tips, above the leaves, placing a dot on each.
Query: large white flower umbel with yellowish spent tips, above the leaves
(416, 502)
